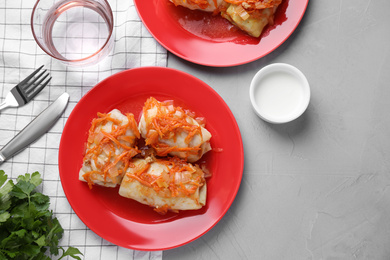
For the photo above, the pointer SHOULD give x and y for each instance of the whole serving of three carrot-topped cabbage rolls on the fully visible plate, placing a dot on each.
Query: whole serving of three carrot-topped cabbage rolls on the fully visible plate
(160, 172)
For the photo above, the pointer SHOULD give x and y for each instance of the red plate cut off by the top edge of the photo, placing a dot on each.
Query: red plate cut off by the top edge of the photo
(189, 35)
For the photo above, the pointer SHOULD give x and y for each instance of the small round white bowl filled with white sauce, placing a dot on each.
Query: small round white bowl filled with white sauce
(279, 93)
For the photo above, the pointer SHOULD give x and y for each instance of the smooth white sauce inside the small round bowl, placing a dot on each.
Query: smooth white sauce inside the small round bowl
(279, 94)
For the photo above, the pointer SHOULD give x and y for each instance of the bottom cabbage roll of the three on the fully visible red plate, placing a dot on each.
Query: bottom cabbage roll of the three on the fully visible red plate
(165, 184)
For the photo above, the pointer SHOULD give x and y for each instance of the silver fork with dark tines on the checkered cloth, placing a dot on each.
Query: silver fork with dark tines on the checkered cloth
(26, 90)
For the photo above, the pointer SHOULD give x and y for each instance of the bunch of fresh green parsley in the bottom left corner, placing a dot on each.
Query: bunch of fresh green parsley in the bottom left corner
(27, 226)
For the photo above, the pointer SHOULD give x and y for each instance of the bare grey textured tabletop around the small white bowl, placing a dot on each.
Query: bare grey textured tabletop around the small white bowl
(318, 187)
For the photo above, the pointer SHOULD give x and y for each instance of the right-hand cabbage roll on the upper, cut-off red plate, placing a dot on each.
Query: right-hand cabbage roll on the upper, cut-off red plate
(251, 16)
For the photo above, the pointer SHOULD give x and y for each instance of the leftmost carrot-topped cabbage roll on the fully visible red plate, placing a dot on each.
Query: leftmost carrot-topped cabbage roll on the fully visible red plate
(111, 145)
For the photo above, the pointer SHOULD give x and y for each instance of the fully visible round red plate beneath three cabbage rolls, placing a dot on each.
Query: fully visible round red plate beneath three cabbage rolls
(125, 222)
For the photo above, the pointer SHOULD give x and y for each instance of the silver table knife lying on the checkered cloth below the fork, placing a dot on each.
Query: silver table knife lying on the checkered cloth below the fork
(36, 128)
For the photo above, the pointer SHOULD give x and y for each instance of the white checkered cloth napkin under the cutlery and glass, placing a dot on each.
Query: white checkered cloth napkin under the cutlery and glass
(19, 56)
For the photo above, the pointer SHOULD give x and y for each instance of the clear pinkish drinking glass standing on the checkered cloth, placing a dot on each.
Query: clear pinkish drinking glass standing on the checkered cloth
(77, 32)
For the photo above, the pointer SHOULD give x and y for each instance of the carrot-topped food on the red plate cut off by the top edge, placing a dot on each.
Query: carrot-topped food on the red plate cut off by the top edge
(251, 16)
